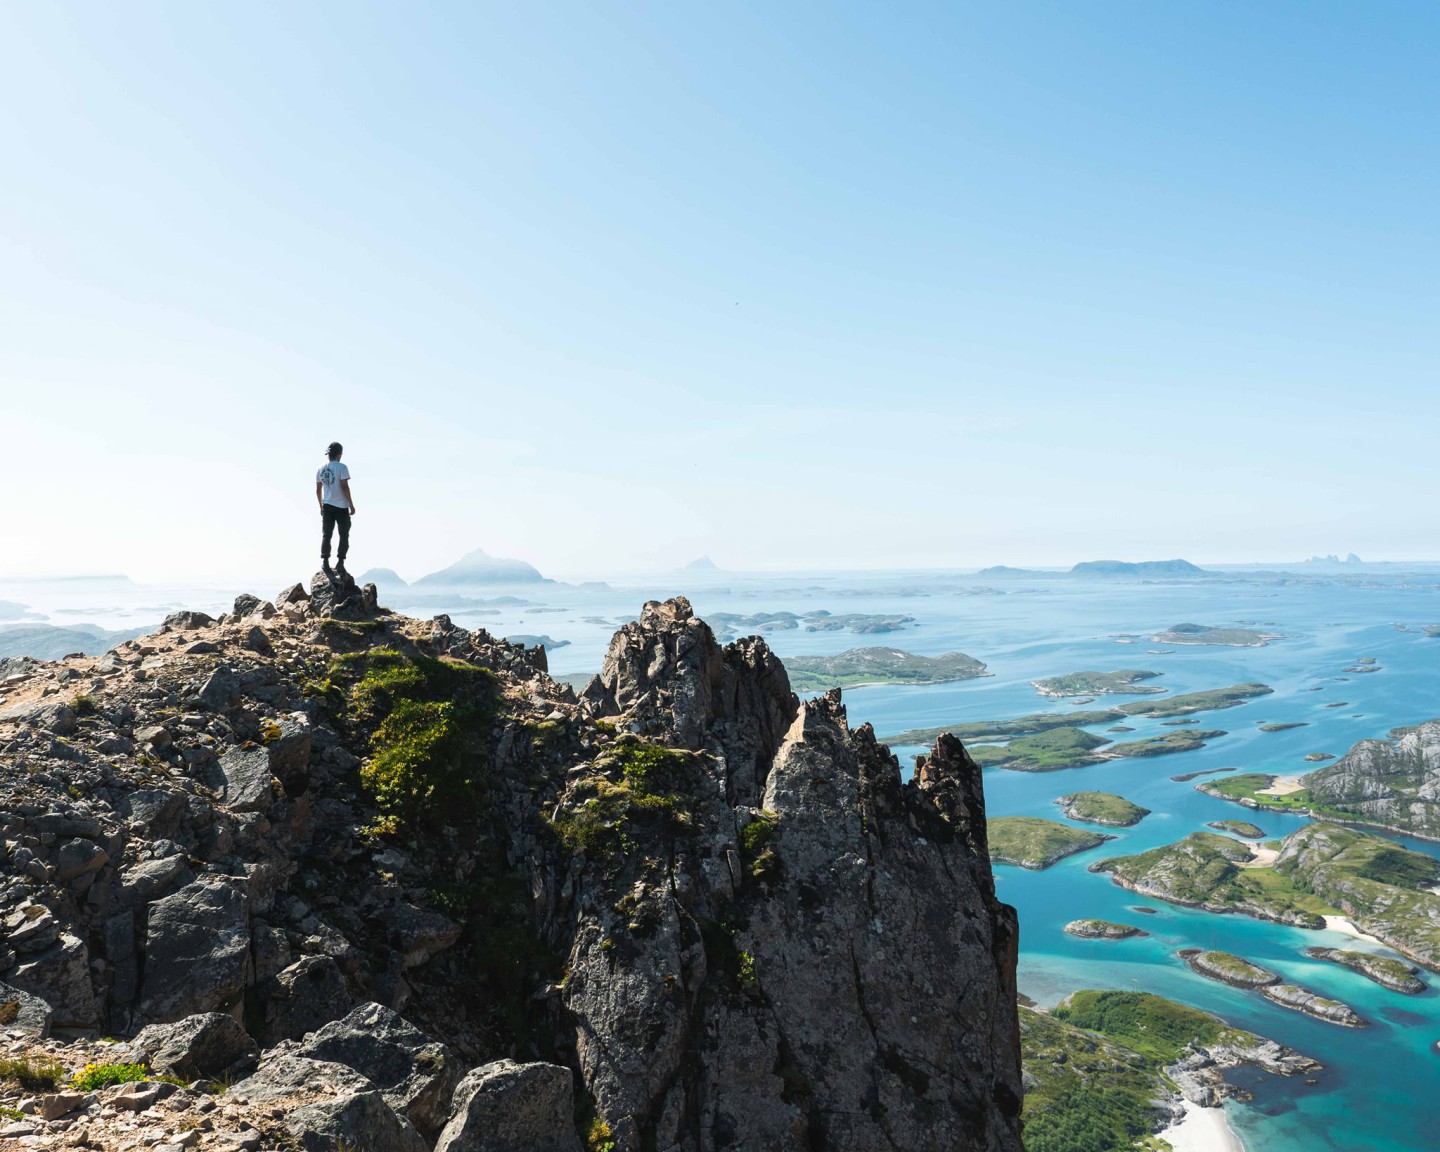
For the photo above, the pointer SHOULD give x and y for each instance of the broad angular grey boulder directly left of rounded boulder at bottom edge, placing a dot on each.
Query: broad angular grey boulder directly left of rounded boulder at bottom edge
(417, 1075)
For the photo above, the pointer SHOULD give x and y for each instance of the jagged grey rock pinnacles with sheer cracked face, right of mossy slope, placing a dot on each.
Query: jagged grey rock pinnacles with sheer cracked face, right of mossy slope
(850, 984)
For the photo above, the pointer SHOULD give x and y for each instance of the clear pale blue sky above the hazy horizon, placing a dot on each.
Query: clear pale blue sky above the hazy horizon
(797, 286)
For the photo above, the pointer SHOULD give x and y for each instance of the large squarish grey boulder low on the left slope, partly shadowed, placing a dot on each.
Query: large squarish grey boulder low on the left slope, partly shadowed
(198, 953)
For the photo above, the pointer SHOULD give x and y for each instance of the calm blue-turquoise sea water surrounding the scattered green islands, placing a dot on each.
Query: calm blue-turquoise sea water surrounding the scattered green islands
(1377, 1089)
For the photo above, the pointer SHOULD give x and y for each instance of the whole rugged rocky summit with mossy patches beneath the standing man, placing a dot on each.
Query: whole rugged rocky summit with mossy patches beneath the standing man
(319, 876)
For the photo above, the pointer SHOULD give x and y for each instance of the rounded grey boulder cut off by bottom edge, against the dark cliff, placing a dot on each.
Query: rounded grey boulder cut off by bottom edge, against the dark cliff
(513, 1108)
